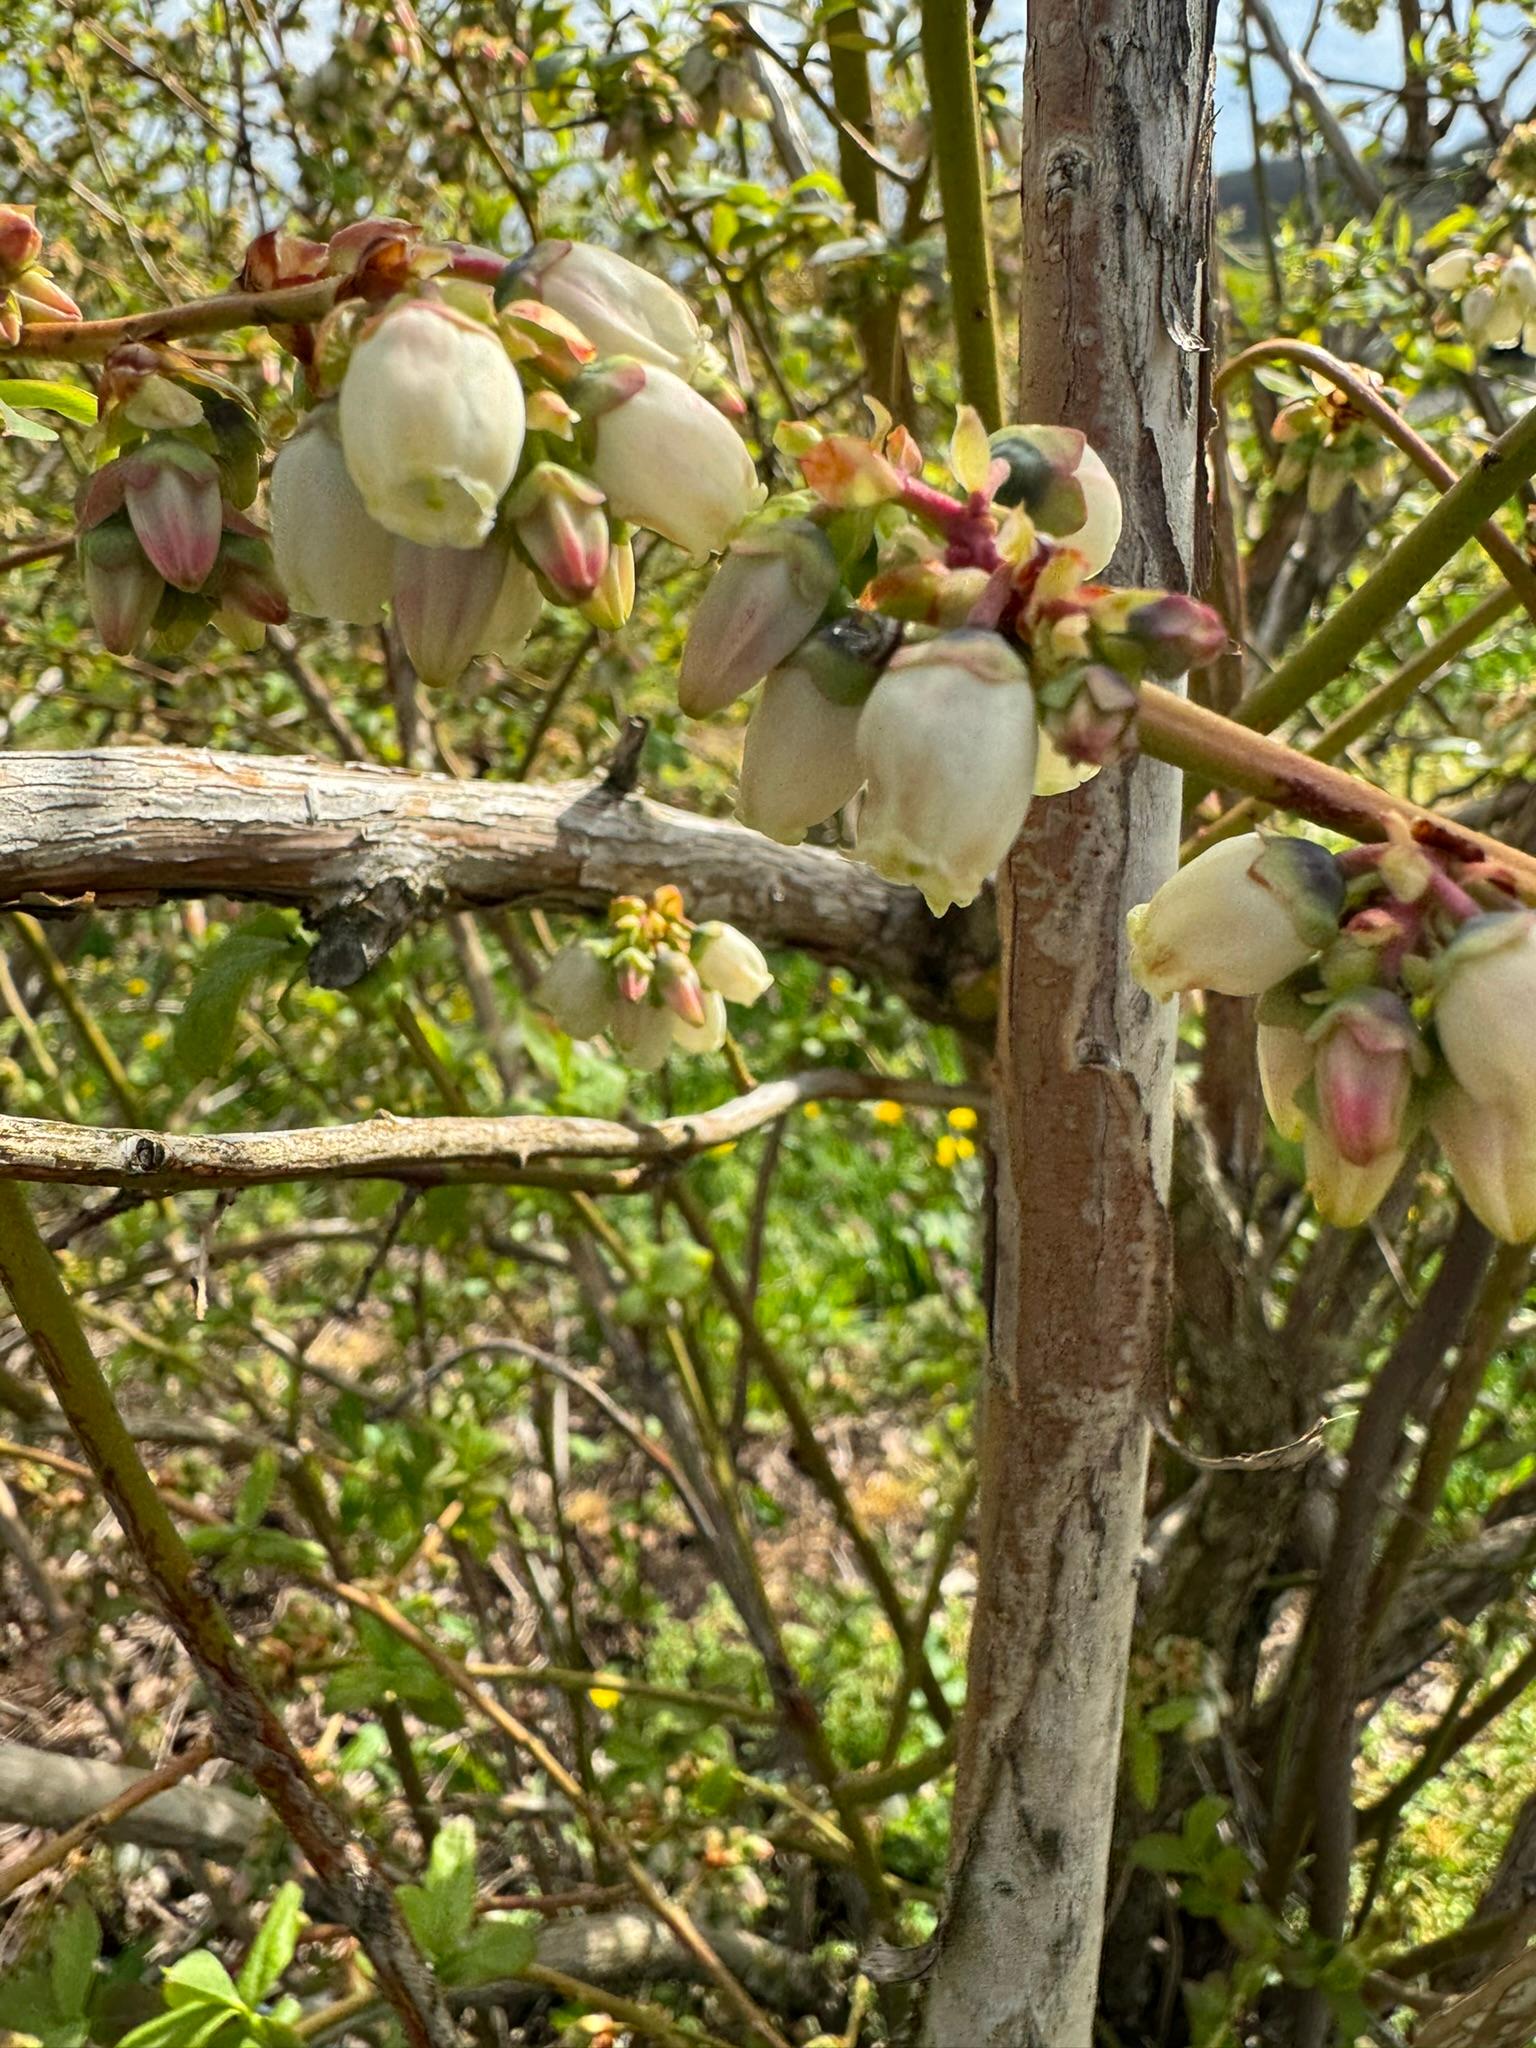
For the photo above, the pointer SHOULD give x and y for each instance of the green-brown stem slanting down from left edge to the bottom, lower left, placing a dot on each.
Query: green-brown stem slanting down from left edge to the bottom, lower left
(249, 1727)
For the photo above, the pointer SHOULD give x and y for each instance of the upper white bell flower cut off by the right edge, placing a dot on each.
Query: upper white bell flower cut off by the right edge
(1486, 1011)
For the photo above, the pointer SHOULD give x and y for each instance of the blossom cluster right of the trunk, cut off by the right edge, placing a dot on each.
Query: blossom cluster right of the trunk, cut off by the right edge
(1398, 992)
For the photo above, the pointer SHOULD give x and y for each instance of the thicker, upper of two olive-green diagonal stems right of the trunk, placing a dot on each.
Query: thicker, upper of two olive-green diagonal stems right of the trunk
(1408, 568)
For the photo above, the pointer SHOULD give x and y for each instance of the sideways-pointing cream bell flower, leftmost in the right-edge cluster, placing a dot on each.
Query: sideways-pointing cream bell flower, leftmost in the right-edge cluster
(1242, 916)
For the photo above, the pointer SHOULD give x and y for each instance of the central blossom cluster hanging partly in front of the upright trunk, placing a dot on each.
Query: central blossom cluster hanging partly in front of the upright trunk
(937, 656)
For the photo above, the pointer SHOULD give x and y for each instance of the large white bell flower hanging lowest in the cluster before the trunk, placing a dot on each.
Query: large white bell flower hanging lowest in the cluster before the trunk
(947, 746)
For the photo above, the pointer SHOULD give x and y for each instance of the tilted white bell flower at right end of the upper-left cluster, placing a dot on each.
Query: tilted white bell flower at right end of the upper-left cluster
(669, 462)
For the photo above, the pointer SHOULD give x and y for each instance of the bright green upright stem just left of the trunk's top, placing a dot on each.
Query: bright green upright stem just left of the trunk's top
(955, 116)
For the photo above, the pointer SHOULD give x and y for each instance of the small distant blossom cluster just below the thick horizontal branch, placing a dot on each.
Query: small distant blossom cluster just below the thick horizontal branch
(654, 982)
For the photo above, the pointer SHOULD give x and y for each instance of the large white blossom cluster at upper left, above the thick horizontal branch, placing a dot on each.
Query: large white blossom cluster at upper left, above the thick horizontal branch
(486, 437)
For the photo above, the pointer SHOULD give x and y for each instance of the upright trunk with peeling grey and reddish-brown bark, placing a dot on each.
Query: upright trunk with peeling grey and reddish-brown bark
(1117, 191)
